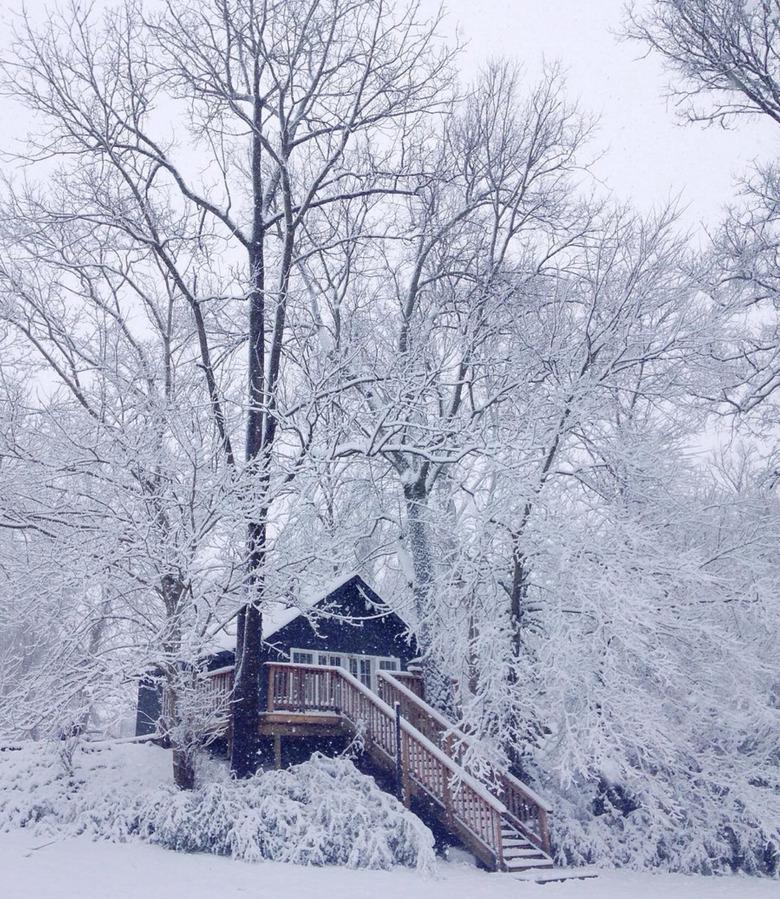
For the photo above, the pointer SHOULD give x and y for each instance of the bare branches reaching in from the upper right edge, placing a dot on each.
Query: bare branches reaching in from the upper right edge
(725, 56)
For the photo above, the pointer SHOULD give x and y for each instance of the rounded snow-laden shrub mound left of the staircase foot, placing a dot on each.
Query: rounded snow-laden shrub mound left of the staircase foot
(323, 812)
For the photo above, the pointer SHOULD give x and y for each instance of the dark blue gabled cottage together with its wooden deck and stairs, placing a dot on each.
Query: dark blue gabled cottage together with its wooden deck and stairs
(339, 667)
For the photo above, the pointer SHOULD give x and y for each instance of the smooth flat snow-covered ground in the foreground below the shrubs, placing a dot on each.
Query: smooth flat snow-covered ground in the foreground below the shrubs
(77, 868)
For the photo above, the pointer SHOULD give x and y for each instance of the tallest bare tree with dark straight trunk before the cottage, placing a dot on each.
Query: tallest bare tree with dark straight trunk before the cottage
(276, 111)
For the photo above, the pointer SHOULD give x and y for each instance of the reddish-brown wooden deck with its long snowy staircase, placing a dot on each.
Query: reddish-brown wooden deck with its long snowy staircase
(504, 826)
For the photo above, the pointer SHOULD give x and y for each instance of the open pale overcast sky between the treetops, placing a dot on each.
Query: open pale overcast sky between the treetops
(646, 156)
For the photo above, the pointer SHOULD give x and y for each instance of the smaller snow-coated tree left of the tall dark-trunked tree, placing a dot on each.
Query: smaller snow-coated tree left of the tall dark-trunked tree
(116, 464)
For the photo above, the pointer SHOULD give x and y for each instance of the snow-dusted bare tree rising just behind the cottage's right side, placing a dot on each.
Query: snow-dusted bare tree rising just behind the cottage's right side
(496, 210)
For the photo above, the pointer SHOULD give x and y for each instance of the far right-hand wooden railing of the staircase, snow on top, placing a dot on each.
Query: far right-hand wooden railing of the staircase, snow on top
(526, 809)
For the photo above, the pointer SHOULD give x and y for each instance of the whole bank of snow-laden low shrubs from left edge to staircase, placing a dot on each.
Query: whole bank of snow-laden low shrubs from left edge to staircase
(322, 812)
